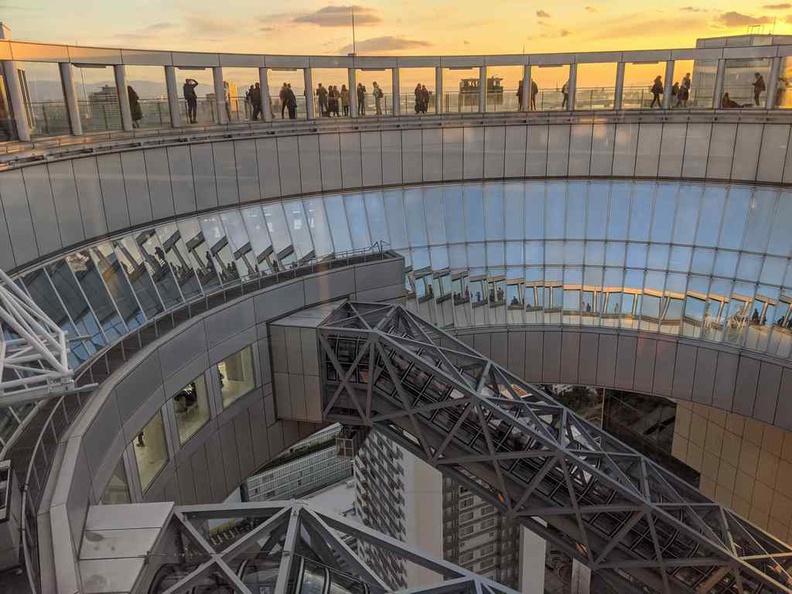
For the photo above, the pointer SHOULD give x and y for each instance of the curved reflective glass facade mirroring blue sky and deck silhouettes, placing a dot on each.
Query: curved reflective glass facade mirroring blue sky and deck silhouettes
(707, 261)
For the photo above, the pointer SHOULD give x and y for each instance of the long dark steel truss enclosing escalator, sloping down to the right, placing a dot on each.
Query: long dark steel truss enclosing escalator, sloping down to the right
(600, 501)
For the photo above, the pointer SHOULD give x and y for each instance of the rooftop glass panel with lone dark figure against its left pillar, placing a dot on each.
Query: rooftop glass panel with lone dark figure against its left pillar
(148, 96)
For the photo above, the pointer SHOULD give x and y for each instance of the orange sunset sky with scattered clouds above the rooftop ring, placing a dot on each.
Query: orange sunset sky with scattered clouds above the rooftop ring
(389, 26)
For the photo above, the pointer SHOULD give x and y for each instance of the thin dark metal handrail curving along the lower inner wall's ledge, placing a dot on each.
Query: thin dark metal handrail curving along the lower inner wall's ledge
(32, 492)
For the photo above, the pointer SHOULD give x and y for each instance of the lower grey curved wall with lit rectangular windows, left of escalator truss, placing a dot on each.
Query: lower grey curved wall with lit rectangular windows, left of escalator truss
(228, 448)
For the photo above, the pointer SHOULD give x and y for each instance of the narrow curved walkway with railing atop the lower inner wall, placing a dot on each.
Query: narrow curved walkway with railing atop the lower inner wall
(33, 453)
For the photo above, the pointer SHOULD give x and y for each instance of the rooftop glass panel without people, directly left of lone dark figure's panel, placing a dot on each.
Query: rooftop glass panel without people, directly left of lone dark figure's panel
(97, 98)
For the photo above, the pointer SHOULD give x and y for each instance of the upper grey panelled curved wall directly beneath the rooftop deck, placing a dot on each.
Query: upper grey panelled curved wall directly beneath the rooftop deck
(72, 199)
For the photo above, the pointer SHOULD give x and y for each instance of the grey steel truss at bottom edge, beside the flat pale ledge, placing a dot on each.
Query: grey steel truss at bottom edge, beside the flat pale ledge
(284, 547)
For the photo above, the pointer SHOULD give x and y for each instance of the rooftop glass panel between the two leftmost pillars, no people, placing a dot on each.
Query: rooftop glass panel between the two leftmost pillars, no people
(43, 93)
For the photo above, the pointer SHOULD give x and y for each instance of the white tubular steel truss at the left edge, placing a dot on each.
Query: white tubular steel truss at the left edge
(33, 350)
